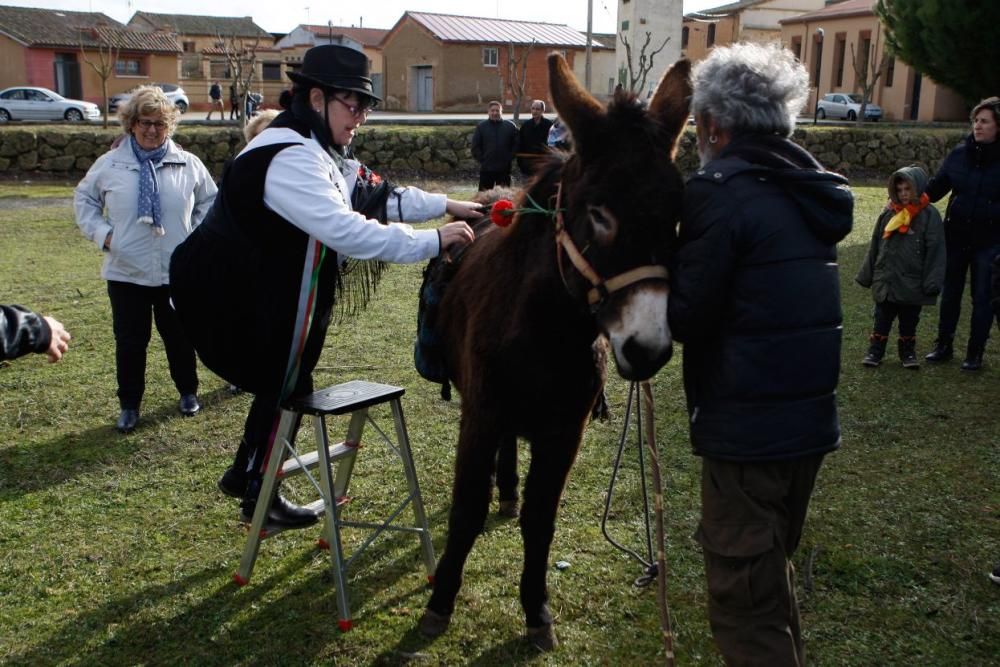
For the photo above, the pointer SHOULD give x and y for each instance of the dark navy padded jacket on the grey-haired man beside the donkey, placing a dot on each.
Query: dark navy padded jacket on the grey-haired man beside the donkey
(755, 298)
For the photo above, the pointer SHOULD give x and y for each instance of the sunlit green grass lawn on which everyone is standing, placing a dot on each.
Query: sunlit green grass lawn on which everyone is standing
(118, 550)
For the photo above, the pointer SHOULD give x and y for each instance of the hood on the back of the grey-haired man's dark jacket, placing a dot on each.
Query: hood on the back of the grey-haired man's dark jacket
(824, 197)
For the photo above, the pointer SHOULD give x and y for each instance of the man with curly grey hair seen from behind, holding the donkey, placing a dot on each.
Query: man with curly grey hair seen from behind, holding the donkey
(755, 299)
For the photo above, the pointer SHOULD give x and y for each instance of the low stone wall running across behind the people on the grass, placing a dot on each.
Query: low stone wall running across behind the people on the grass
(399, 152)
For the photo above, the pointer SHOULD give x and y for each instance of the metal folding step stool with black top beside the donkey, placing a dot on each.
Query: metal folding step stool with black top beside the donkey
(352, 398)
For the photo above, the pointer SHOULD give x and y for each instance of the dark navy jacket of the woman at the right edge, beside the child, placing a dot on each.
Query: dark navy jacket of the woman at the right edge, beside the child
(971, 172)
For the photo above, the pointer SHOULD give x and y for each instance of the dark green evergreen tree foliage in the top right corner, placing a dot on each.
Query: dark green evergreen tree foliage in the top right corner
(954, 42)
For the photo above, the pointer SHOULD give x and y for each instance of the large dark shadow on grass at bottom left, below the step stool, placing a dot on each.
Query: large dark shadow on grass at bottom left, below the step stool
(266, 623)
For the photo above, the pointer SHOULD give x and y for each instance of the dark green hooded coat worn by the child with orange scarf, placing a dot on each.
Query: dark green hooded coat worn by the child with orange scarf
(906, 268)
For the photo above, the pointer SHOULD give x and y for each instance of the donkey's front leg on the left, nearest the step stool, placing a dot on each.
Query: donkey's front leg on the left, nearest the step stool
(477, 448)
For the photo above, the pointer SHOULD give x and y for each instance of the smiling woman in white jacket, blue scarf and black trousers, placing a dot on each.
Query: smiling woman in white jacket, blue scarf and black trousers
(137, 203)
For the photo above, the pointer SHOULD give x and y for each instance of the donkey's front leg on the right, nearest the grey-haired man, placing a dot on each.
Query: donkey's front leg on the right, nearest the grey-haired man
(551, 460)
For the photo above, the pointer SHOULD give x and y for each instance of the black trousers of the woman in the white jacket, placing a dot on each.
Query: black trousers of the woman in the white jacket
(133, 309)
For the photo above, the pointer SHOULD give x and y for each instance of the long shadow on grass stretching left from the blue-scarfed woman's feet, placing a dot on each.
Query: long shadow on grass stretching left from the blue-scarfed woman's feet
(24, 470)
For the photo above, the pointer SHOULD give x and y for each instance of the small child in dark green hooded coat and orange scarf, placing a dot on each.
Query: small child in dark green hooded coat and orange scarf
(904, 266)
